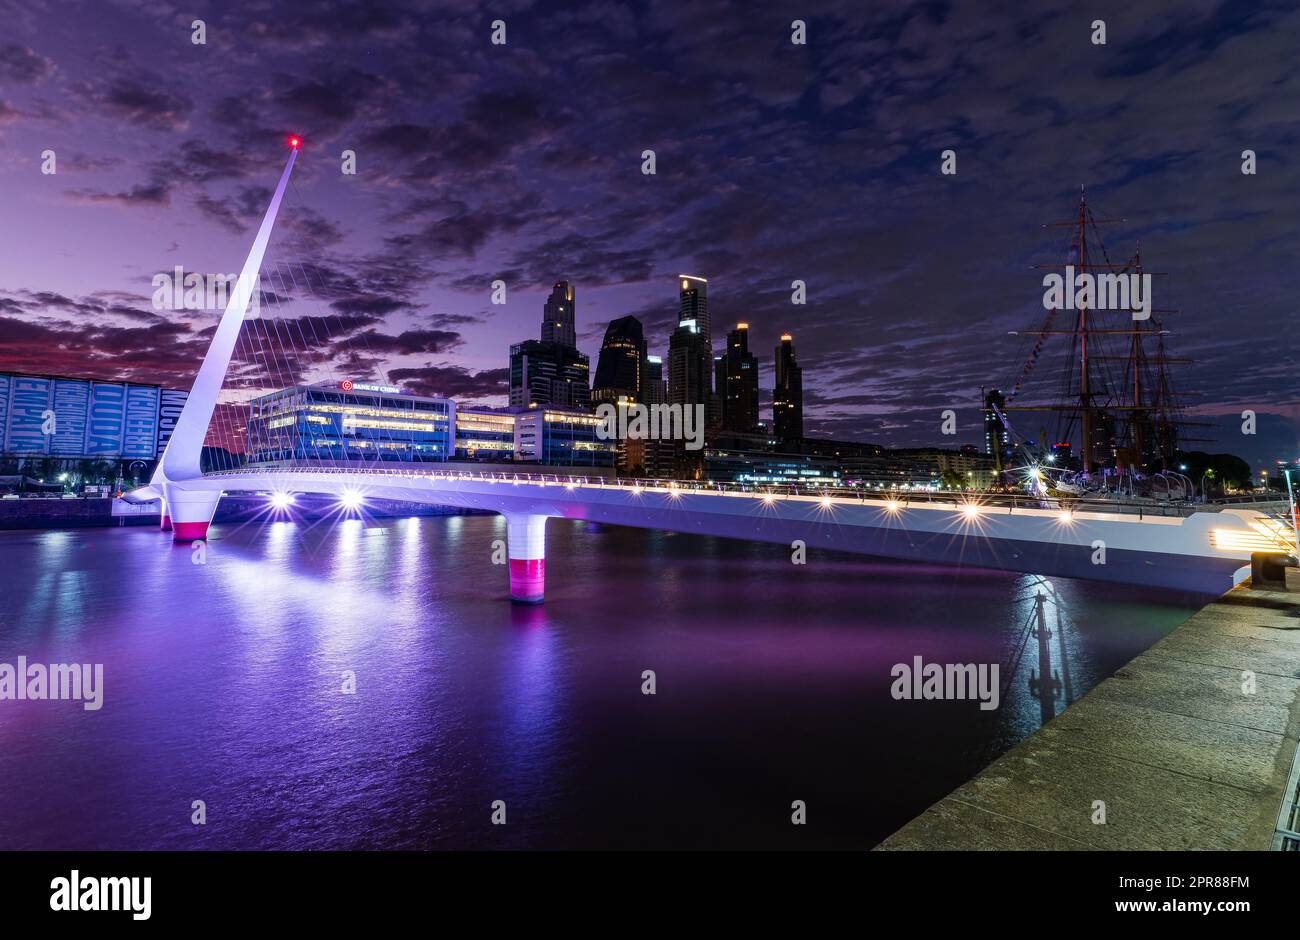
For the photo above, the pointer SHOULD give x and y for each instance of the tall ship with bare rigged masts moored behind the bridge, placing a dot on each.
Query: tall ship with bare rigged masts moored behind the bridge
(1110, 418)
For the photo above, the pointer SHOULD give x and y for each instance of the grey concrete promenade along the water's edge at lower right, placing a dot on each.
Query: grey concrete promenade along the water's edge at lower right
(1182, 757)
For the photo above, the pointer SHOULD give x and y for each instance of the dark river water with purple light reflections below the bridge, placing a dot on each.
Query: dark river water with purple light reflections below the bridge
(224, 683)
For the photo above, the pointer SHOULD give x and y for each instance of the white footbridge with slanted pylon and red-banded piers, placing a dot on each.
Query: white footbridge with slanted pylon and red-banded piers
(1176, 548)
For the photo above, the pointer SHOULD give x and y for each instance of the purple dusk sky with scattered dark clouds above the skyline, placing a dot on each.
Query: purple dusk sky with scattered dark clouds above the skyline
(775, 162)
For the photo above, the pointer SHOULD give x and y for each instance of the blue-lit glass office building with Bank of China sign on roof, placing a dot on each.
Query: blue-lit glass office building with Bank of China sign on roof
(349, 422)
